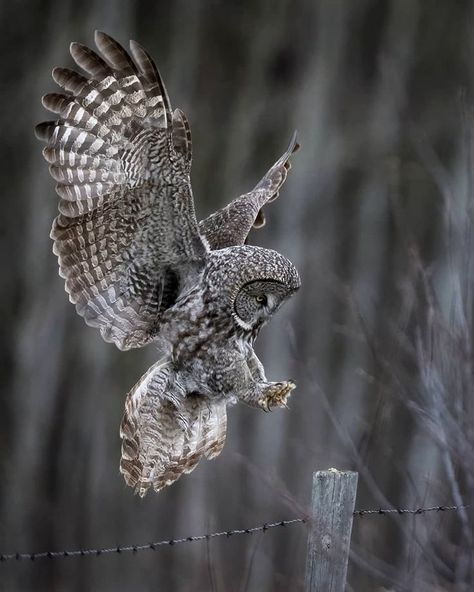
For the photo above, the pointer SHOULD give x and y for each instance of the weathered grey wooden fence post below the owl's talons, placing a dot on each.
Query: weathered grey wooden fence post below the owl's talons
(330, 527)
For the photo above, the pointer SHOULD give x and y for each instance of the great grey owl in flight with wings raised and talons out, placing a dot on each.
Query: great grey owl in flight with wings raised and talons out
(140, 268)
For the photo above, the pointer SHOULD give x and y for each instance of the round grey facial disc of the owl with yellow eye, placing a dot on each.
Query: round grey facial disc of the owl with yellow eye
(258, 300)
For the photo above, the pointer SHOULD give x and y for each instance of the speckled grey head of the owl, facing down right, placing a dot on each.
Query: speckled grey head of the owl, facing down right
(250, 284)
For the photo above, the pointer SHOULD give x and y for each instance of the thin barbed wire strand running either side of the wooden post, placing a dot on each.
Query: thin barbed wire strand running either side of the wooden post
(203, 537)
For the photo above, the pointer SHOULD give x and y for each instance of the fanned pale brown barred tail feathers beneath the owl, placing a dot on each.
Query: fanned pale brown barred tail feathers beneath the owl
(163, 436)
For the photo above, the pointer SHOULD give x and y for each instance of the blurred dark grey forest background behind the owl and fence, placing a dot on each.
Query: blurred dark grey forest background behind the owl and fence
(376, 214)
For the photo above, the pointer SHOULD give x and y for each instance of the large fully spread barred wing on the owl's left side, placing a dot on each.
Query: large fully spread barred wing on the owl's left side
(126, 236)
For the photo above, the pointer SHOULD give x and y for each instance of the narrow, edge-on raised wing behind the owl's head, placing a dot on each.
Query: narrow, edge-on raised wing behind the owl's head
(231, 225)
